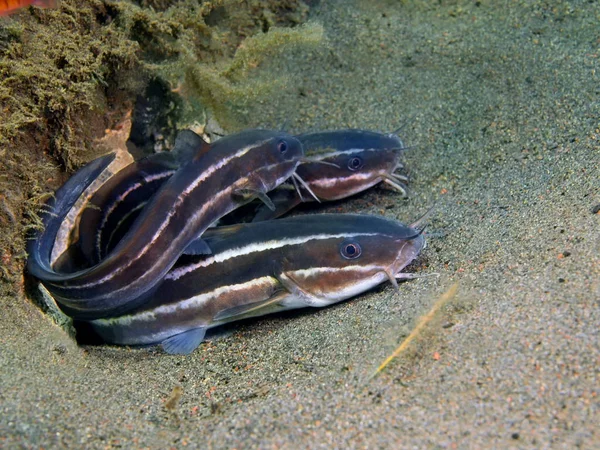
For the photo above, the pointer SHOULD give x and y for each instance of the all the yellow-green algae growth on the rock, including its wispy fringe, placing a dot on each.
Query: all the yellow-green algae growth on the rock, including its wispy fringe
(68, 74)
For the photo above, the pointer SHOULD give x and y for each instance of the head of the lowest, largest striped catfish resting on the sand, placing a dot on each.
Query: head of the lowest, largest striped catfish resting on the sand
(353, 259)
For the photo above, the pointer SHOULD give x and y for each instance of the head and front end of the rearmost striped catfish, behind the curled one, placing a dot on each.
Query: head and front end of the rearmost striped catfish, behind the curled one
(359, 159)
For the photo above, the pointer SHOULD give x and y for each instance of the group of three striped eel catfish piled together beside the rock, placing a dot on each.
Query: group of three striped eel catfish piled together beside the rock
(148, 263)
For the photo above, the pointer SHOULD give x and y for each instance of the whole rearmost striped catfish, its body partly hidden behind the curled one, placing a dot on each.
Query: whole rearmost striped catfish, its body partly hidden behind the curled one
(354, 161)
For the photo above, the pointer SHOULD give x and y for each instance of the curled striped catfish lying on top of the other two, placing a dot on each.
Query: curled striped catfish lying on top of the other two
(211, 184)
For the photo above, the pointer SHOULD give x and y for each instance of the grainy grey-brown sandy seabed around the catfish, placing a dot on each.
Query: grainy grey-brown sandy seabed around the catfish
(501, 101)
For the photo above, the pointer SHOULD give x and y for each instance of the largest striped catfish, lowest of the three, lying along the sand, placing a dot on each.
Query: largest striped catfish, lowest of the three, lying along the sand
(265, 267)
